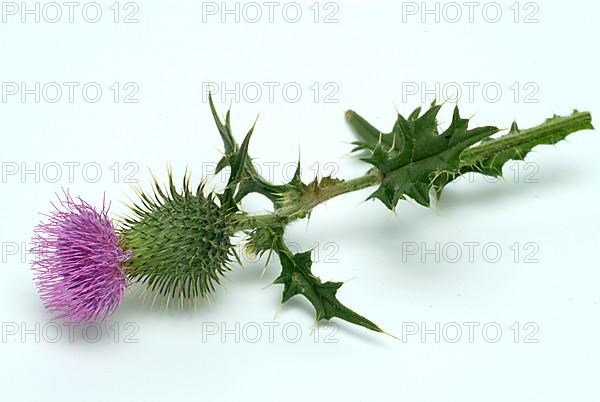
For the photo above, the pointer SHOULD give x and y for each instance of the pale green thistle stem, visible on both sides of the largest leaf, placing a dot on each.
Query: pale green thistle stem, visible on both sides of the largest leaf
(544, 133)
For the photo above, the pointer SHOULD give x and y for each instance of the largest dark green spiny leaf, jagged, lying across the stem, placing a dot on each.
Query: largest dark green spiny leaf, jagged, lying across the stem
(414, 153)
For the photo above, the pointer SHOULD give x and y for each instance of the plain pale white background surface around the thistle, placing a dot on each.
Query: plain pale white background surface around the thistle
(371, 57)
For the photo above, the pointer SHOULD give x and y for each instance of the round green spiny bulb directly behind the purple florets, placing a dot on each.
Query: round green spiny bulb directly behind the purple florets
(179, 241)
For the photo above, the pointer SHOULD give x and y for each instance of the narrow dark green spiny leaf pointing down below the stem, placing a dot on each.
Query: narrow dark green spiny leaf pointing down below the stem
(298, 279)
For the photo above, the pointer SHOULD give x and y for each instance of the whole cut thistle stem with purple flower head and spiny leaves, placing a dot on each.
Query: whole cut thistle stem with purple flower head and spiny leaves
(177, 242)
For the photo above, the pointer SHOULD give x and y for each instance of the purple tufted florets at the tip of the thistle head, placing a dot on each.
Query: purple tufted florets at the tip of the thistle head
(78, 266)
